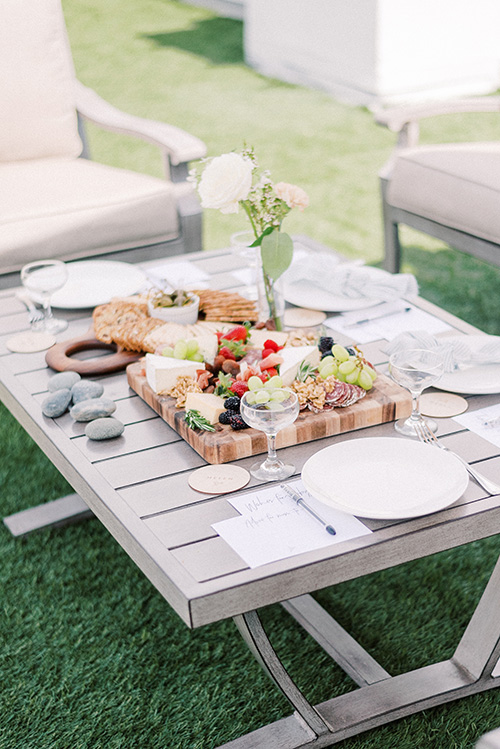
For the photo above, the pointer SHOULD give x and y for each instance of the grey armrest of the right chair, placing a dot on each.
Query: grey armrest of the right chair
(404, 120)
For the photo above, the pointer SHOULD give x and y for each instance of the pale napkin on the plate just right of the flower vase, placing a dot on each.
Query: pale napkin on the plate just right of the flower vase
(349, 280)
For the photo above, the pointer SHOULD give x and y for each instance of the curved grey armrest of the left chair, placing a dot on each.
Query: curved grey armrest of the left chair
(180, 146)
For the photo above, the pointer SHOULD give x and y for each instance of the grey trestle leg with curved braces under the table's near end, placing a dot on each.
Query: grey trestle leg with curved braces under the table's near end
(473, 668)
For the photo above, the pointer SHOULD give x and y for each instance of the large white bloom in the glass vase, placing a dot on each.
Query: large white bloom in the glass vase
(226, 181)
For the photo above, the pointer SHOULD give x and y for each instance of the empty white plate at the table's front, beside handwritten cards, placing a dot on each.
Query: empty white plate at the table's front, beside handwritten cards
(385, 477)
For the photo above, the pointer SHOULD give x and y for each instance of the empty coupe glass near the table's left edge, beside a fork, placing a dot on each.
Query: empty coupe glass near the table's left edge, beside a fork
(42, 278)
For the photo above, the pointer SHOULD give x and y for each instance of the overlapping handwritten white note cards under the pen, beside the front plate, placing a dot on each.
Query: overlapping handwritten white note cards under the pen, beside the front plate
(271, 526)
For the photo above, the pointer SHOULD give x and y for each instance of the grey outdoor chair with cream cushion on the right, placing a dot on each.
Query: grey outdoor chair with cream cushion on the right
(450, 191)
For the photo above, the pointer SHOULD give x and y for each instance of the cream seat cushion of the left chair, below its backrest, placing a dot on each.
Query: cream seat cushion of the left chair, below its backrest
(70, 208)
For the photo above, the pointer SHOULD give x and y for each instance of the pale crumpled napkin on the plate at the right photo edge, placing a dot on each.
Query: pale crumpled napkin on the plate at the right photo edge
(457, 353)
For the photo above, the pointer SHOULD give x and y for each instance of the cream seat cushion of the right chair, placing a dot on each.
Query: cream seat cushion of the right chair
(457, 185)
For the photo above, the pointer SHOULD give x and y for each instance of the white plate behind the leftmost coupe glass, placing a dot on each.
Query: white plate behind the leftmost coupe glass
(93, 282)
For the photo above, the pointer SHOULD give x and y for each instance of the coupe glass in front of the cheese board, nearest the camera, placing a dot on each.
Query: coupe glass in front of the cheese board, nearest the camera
(270, 411)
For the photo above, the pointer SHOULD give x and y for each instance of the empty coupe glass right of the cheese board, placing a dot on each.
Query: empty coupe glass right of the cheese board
(415, 370)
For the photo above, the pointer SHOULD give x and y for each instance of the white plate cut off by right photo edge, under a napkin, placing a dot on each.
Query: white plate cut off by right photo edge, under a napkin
(480, 379)
